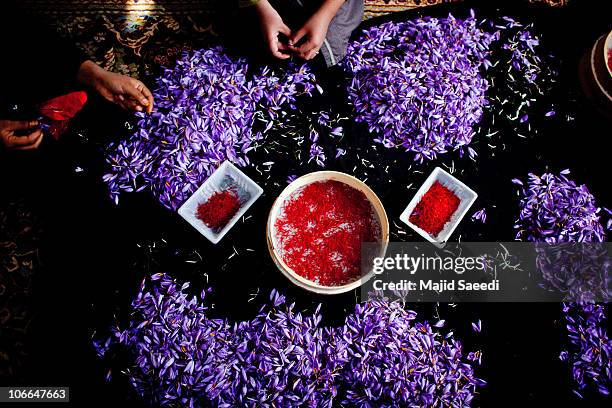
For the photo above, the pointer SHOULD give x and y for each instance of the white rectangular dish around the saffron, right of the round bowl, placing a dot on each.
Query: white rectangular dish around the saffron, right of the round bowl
(466, 195)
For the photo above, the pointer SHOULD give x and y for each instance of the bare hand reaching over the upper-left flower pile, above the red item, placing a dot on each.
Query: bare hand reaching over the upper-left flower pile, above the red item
(129, 93)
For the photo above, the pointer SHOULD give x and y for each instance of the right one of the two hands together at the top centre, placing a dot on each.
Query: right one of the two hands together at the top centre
(307, 41)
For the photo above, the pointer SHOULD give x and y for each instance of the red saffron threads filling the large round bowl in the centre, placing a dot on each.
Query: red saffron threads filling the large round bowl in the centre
(320, 231)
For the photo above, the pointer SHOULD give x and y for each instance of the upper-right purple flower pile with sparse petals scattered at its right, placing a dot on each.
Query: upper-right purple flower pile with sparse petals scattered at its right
(424, 85)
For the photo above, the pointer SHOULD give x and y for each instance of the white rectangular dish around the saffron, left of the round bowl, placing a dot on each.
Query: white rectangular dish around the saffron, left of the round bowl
(217, 182)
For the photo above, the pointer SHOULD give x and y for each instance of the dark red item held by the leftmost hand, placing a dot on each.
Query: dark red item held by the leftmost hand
(58, 111)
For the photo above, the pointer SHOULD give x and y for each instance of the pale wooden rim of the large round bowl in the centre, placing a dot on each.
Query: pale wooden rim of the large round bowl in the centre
(351, 181)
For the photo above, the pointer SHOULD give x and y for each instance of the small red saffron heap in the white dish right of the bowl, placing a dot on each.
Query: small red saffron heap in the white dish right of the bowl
(435, 209)
